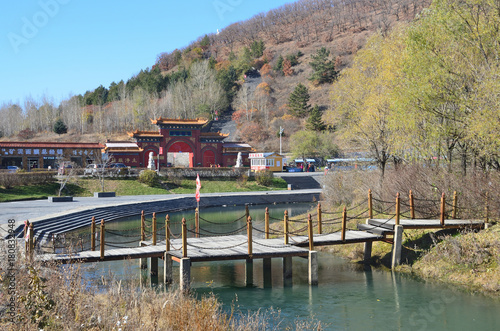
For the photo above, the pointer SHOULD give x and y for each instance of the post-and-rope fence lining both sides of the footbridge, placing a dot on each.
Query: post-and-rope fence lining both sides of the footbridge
(334, 220)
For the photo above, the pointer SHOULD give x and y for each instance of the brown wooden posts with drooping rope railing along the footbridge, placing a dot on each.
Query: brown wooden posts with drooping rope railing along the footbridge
(292, 227)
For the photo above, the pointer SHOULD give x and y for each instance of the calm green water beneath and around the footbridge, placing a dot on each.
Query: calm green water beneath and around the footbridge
(348, 297)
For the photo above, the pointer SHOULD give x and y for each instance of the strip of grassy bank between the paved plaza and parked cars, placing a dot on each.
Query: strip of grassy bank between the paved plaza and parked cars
(85, 187)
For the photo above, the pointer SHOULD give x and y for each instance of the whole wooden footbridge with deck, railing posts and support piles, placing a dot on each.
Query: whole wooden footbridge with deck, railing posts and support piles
(192, 246)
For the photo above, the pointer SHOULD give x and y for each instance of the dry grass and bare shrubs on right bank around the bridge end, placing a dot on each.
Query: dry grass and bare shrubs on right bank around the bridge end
(470, 259)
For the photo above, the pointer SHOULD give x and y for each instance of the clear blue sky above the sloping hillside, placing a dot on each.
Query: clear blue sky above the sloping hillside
(60, 48)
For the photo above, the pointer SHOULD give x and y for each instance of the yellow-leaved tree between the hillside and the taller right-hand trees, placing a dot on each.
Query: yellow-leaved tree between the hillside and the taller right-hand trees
(362, 99)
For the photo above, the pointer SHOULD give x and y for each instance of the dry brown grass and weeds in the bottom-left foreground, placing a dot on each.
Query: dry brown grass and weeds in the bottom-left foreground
(56, 297)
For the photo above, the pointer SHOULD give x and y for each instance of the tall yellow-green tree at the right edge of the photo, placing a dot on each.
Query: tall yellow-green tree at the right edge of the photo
(451, 82)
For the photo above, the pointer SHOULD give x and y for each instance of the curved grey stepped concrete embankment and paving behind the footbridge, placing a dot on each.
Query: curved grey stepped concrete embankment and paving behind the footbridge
(52, 218)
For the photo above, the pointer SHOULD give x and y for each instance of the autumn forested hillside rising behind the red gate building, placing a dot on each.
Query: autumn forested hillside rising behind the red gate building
(307, 42)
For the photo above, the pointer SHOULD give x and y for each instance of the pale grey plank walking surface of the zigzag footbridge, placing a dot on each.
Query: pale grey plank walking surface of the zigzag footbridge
(235, 247)
